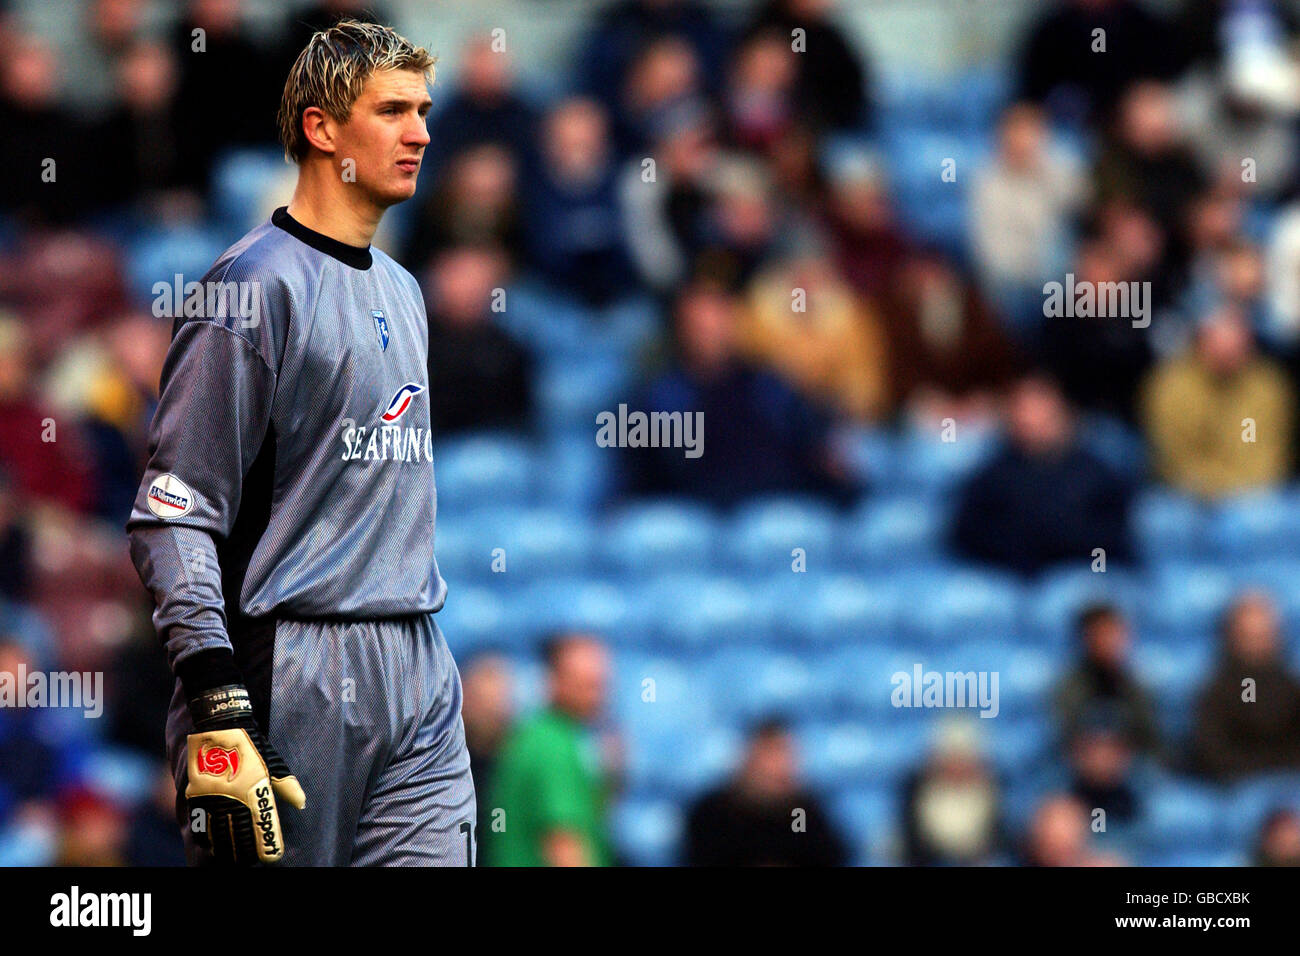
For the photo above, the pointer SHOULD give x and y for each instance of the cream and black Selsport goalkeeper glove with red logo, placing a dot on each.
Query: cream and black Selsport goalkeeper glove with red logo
(236, 777)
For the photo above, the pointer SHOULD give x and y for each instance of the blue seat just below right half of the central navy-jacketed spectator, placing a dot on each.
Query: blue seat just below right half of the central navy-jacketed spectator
(762, 537)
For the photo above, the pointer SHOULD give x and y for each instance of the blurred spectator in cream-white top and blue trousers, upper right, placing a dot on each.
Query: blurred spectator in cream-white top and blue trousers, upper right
(1020, 215)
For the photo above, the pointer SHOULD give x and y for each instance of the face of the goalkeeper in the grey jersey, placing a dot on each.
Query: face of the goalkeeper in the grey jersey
(385, 136)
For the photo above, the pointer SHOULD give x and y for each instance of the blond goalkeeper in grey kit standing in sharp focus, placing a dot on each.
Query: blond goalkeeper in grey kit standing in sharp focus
(285, 520)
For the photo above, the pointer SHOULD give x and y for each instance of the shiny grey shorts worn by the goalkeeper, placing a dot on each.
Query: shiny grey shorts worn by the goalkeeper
(367, 716)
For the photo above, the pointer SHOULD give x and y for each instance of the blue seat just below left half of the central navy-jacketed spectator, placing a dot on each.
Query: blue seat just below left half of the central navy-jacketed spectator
(660, 538)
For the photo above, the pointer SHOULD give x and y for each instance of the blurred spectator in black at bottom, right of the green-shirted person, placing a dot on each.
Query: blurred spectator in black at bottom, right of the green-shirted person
(764, 816)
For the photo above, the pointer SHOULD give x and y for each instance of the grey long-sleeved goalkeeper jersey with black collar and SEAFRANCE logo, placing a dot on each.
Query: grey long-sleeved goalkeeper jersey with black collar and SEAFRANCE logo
(291, 465)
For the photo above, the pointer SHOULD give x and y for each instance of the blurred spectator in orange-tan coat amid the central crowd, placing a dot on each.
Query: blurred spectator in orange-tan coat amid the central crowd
(803, 321)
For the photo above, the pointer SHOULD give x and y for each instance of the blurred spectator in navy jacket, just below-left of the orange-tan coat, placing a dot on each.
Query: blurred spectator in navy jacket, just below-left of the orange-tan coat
(761, 439)
